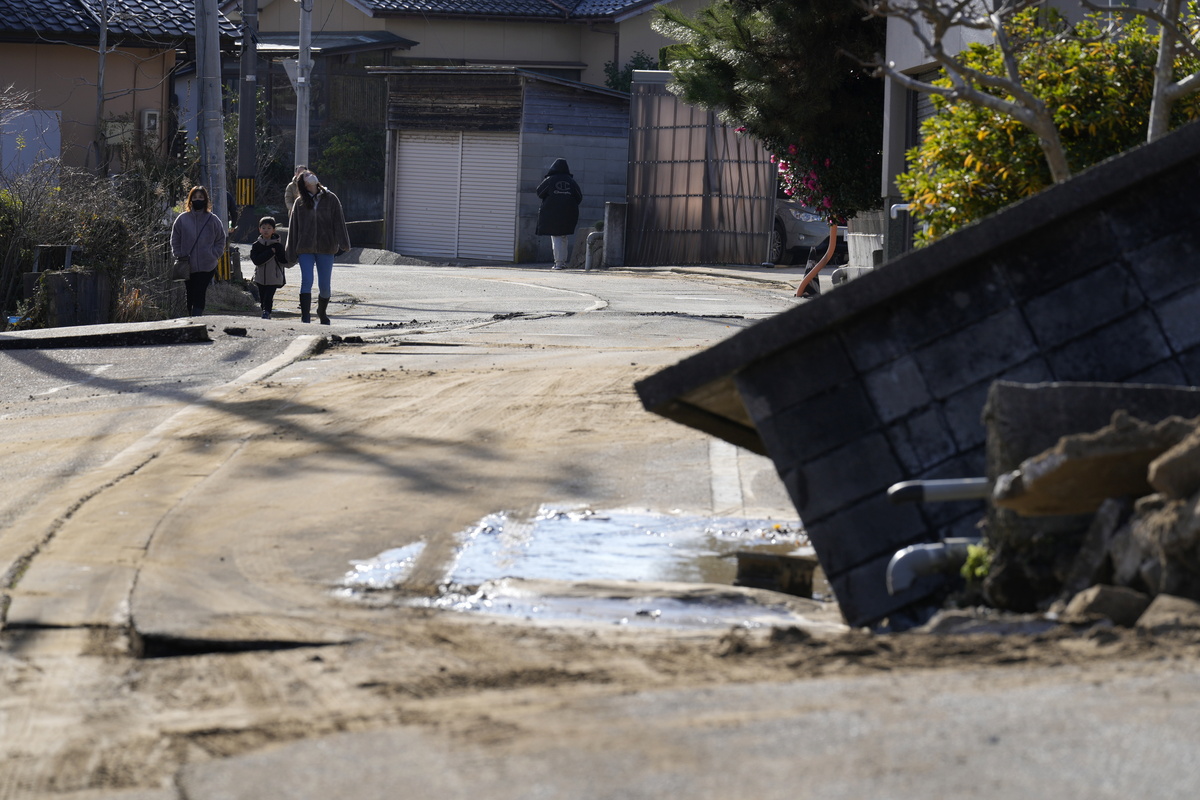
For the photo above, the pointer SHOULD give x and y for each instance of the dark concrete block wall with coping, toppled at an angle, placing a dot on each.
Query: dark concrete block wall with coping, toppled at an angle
(885, 380)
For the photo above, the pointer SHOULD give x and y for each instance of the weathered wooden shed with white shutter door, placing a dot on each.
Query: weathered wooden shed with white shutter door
(467, 148)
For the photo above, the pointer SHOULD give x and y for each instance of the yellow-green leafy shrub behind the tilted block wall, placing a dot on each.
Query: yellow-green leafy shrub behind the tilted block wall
(974, 161)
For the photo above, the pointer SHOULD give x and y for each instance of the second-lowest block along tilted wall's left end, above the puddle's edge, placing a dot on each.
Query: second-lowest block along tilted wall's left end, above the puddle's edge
(866, 532)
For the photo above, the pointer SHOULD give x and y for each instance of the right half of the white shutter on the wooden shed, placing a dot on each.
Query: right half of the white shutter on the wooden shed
(488, 210)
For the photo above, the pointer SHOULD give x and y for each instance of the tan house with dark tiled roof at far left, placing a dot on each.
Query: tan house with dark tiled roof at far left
(50, 52)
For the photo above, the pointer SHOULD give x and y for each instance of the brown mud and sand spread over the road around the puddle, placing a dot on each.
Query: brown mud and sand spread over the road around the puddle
(187, 610)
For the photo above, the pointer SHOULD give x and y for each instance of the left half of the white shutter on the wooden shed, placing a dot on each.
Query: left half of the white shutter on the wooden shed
(428, 169)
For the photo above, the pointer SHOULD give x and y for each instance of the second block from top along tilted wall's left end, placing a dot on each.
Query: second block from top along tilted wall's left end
(819, 425)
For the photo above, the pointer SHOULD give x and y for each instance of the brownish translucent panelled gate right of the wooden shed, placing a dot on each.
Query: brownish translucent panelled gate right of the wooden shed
(698, 191)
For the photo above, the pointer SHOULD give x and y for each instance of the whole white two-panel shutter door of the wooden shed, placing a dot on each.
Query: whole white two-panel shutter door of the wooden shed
(457, 195)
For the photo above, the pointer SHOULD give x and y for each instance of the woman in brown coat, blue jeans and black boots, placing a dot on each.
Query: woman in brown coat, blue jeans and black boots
(316, 233)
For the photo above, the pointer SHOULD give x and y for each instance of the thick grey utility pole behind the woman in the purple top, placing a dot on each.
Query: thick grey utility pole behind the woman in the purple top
(212, 135)
